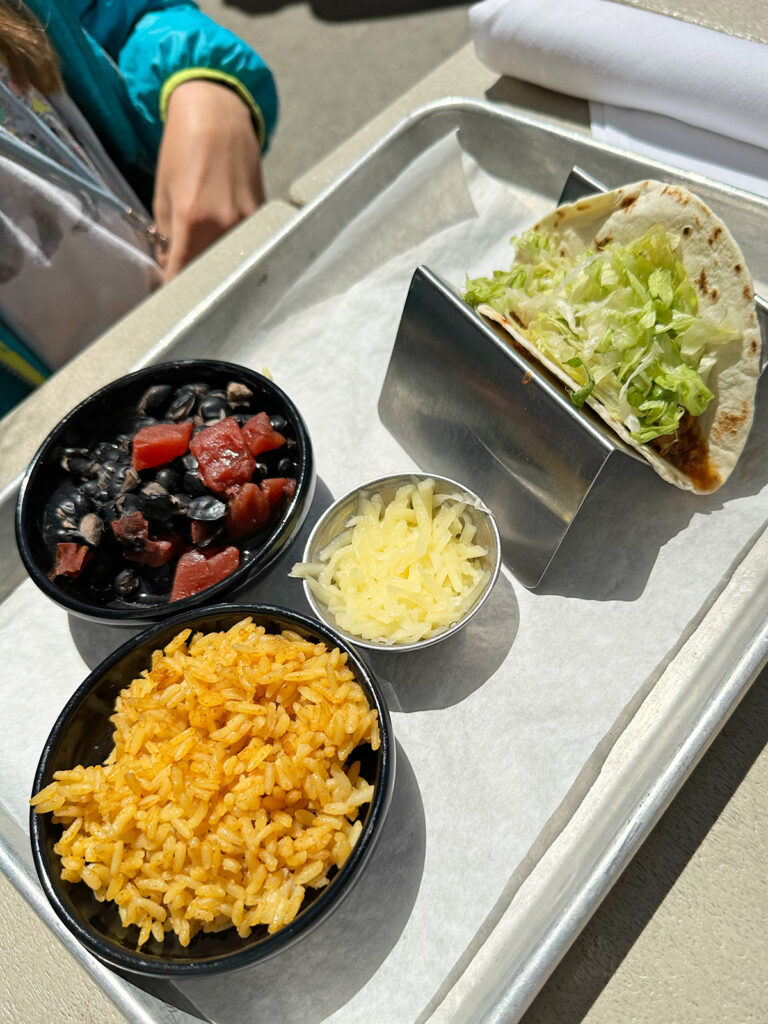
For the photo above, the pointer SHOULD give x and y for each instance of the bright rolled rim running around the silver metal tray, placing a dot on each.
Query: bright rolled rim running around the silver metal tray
(523, 990)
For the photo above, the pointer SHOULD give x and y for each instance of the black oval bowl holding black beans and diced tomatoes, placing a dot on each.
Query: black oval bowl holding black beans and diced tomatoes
(99, 419)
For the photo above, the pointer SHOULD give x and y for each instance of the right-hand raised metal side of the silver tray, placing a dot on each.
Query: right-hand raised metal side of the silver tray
(693, 699)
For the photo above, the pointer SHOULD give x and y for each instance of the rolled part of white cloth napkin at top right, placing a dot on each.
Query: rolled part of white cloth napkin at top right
(611, 53)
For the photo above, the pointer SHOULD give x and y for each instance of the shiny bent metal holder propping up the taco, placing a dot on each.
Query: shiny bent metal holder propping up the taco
(464, 402)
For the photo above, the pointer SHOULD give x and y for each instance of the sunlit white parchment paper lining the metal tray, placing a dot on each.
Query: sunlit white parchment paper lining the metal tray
(495, 726)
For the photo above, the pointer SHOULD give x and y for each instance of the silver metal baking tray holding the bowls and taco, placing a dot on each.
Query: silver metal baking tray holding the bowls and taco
(657, 741)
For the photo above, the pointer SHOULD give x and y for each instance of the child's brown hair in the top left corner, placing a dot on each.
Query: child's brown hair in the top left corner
(26, 49)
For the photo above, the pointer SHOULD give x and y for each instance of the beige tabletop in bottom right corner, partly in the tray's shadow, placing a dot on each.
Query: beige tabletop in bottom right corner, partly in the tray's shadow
(682, 938)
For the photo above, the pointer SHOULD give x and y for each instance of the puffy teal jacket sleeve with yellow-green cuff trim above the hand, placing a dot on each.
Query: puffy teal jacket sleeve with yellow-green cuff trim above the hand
(160, 44)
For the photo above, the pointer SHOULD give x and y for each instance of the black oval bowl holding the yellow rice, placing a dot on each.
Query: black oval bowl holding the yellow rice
(83, 736)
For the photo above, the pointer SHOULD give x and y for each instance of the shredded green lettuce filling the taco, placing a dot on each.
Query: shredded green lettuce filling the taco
(624, 319)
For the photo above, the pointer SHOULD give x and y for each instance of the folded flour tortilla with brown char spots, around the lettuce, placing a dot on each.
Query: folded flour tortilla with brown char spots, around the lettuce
(718, 273)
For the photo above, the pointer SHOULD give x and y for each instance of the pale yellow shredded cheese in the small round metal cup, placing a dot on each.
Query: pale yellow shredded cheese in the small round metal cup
(403, 572)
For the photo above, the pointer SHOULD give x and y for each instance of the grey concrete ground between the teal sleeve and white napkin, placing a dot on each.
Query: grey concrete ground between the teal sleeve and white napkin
(338, 64)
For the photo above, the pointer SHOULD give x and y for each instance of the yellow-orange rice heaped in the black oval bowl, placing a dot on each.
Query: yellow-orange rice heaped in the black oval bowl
(227, 794)
